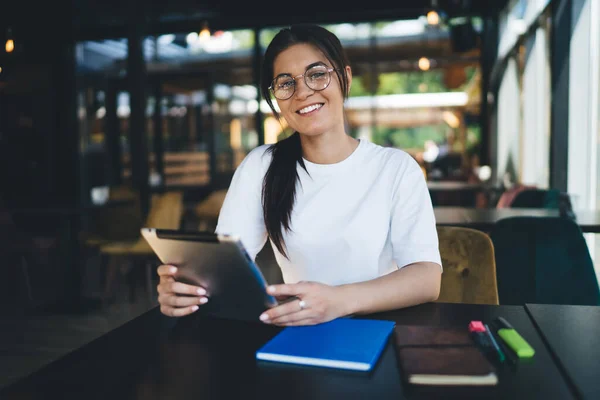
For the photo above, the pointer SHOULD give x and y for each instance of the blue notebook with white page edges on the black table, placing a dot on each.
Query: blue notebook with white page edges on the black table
(346, 343)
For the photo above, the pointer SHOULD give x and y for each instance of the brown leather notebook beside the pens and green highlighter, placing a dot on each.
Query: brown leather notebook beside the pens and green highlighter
(434, 355)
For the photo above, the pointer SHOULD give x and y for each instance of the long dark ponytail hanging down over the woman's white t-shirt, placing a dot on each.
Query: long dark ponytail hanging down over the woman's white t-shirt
(279, 188)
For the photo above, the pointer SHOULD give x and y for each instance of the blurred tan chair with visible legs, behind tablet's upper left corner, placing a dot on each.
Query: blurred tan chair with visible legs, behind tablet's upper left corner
(166, 211)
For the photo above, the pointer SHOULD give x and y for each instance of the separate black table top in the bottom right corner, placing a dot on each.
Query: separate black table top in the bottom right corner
(573, 335)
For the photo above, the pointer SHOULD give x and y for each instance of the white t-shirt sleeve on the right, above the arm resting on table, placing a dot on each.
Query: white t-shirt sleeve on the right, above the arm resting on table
(413, 228)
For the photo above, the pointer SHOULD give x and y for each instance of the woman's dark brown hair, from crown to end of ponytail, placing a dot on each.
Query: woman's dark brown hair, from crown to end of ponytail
(279, 184)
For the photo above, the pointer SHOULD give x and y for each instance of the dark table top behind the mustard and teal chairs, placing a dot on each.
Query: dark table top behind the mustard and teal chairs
(485, 218)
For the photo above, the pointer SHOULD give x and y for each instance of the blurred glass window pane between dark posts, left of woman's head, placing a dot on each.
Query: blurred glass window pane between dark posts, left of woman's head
(209, 99)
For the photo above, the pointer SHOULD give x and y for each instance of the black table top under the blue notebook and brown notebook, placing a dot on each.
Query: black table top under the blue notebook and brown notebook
(196, 357)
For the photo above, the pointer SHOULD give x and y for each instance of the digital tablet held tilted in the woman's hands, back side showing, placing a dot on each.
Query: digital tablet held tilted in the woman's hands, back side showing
(219, 263)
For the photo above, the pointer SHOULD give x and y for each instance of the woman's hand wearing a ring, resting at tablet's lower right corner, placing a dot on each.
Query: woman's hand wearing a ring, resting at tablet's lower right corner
(315, 303)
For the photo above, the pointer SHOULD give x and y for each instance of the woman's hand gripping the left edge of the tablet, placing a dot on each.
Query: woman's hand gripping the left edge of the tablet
(177, 299)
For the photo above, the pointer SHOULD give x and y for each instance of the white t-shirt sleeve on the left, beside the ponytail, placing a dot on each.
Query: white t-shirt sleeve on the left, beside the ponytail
(241, 213)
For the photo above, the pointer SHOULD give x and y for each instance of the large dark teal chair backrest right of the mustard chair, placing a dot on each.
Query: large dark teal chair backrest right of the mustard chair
(543, 260)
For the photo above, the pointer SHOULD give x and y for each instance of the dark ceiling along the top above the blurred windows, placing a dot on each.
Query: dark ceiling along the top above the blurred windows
(97, 19)
